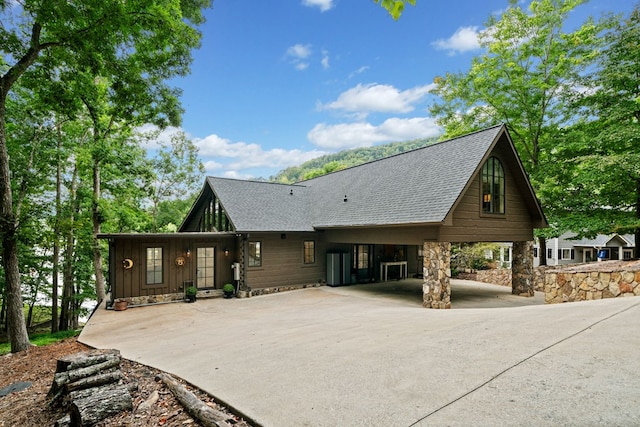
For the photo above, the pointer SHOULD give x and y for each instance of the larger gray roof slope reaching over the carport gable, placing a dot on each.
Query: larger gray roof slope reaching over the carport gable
(419, 186)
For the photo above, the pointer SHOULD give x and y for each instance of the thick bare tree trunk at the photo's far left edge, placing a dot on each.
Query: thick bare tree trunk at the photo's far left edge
(16, 326)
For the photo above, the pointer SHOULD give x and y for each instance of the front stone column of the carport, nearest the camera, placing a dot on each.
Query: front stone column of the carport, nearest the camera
(436, 289)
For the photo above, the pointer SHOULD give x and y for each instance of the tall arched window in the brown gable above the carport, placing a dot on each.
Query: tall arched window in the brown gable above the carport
(487, 197)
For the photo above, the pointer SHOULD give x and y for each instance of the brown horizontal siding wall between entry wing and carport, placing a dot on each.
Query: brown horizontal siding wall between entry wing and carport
(283, 261)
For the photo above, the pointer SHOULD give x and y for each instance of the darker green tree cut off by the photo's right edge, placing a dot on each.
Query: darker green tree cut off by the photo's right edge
(603, 161)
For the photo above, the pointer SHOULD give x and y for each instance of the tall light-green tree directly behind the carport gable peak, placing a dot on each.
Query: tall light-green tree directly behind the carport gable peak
(523, 78)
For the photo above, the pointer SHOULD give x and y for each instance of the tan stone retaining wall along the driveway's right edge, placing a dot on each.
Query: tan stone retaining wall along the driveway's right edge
(592, 281)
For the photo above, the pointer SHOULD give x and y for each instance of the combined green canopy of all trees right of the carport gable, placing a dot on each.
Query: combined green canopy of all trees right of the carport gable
(559, 94)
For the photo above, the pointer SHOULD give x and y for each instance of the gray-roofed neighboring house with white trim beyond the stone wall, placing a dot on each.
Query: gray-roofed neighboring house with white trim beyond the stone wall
(567, 250)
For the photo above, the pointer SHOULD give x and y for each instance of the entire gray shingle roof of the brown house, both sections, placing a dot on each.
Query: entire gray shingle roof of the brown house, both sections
(416, 187)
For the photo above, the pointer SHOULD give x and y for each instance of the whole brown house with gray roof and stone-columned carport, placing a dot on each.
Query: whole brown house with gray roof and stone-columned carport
(380, 220)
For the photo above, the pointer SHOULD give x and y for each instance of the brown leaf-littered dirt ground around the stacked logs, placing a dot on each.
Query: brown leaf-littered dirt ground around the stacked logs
(37, 365)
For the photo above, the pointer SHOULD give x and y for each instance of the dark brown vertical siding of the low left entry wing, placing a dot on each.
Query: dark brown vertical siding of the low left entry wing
(132, 282)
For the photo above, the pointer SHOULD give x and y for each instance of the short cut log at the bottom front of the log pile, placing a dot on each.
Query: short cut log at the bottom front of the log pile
(100, 405)
